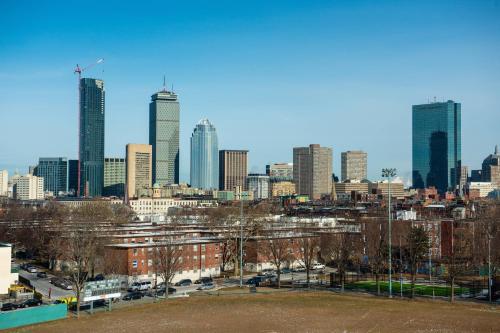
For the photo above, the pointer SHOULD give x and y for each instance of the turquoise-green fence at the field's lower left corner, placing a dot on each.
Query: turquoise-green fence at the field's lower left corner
(34, 315)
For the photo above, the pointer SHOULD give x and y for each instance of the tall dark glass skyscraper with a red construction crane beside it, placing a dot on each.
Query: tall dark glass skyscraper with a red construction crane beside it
(91, 150)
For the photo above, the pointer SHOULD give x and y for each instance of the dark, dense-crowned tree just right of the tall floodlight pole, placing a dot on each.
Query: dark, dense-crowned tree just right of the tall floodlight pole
(418, 249)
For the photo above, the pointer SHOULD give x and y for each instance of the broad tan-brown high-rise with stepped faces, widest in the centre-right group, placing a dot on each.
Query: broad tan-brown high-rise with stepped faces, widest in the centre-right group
(312, 170)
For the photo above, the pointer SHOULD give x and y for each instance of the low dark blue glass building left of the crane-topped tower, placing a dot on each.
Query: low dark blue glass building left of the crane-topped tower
(54, 171)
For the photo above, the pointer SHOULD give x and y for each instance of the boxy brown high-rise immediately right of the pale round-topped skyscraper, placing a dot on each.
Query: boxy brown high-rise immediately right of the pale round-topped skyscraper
(233, 169)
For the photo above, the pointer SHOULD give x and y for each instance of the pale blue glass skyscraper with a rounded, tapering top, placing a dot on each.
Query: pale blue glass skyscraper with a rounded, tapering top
(204, 156)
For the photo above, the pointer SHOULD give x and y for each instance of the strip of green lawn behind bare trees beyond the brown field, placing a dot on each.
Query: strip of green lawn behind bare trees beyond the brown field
(422, 290)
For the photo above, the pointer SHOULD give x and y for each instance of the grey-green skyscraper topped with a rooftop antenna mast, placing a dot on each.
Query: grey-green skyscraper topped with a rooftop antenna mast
(164, 137)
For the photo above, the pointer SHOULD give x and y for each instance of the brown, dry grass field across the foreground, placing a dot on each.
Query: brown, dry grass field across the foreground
(285, 312)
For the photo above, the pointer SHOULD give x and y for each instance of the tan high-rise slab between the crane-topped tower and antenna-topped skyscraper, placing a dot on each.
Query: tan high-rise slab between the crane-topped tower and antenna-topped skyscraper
(139, 169)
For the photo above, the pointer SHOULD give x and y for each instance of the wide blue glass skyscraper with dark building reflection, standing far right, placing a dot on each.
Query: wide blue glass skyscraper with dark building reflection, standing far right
(437, 145)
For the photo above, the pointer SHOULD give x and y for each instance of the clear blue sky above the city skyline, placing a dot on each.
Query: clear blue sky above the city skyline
(270, 75)
